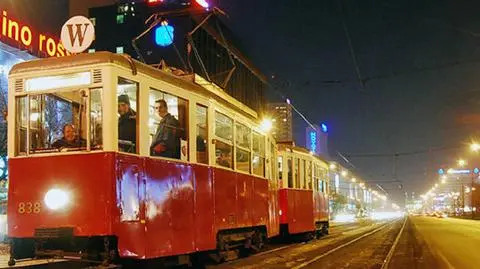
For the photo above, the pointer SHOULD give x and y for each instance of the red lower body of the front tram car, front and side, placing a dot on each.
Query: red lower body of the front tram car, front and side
(174, 208)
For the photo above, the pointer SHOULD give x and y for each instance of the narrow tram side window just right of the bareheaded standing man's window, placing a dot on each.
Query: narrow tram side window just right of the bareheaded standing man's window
(202, 134)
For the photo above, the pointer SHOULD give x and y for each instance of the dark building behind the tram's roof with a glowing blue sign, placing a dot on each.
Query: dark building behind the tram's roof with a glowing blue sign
(181, 36)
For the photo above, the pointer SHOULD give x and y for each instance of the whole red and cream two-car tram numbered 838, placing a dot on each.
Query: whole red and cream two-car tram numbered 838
(105, 198)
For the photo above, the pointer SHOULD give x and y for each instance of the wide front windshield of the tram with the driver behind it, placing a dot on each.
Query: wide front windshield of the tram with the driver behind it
(57, 122)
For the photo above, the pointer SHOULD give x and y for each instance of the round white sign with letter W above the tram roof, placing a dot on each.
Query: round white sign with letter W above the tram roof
(77, 34)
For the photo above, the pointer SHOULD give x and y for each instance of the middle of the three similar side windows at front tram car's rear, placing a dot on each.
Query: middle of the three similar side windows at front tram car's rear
(243, 138)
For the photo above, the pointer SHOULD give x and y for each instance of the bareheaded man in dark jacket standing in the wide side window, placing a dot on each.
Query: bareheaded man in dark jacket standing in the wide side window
(166, 142)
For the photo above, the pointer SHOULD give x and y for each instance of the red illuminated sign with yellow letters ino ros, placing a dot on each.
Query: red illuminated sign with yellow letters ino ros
(18, 33)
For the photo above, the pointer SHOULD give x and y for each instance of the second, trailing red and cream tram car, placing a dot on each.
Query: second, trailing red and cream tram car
(303, 198)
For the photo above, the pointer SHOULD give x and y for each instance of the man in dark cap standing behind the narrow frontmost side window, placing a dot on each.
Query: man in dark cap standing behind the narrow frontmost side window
(127, 125)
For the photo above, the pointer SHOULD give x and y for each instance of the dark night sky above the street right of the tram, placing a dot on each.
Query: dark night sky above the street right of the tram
(418, 61)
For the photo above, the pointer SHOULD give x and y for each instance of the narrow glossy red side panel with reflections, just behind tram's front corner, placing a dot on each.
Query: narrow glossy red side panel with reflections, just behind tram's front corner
(131, 204)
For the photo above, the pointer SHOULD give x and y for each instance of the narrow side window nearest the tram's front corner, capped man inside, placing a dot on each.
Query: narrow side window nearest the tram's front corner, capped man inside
(127, 93)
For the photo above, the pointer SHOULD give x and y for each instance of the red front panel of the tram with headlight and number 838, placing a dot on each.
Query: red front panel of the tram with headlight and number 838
(89, 176)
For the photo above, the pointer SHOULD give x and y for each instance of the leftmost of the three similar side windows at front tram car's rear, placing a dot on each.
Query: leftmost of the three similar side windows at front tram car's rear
(223, 140)
